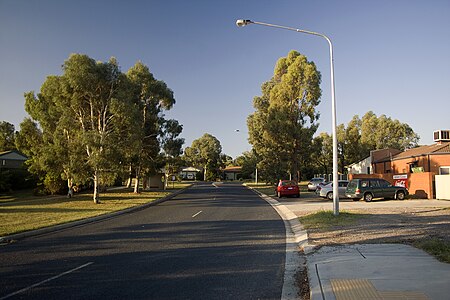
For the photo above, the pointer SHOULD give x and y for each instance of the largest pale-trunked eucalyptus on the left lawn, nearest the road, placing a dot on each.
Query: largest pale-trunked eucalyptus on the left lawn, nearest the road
(85, 116)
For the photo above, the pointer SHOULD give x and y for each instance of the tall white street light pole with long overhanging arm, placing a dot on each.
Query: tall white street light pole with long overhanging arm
(241, 23)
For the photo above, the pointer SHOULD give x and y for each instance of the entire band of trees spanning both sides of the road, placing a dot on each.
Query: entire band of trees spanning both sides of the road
(95, 124)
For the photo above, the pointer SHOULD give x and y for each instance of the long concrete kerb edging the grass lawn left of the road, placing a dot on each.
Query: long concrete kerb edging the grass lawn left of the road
(54, 228)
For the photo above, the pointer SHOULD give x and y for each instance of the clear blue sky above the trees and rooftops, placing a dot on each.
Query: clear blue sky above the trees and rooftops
(391, 57)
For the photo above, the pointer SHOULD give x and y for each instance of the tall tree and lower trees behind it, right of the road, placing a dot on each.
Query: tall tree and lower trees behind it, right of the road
(283, 126)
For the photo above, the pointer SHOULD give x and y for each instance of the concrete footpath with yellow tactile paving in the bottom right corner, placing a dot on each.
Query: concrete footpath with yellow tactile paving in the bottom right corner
(376, 271)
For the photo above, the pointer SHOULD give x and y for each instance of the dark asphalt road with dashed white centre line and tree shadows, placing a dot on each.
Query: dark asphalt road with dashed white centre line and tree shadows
(209, 242)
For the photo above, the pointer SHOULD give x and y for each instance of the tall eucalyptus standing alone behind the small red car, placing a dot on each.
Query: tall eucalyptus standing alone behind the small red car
(282, 127)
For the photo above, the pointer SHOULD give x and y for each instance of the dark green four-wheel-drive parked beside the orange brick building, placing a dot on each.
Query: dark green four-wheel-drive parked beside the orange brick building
(370, 188)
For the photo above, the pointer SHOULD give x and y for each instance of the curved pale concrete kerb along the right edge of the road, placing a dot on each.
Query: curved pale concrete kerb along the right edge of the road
(296, 241)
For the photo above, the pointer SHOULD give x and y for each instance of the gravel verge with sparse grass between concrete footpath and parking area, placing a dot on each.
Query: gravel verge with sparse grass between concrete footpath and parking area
(386, 225)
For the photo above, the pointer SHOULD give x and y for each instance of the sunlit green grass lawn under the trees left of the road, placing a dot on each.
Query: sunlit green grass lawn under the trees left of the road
(27, 213)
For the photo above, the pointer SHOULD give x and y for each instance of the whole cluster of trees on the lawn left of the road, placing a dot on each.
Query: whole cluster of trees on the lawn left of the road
(94, 123)
